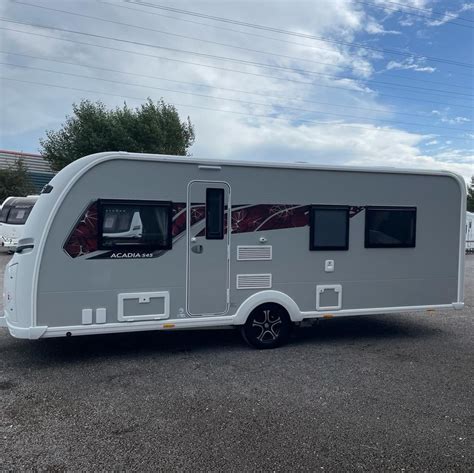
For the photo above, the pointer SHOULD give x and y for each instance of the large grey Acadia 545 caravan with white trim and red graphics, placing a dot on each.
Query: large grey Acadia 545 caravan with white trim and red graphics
(121, 242)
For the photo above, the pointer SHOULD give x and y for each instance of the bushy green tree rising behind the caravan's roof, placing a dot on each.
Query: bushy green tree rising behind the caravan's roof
(149, 128)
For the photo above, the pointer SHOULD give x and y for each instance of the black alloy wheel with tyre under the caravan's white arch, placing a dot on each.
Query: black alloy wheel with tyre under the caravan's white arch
(267, 326)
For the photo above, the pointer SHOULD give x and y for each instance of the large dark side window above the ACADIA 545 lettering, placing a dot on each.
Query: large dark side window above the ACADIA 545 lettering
(134, 224)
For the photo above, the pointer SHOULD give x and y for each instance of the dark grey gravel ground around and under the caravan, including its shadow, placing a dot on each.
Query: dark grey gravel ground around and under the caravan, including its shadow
(379, 393)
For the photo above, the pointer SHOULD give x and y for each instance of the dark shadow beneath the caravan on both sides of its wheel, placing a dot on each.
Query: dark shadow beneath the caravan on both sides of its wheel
(326, 332)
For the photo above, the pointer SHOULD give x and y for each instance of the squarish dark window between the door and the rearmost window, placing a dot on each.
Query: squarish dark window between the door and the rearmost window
(329, 228)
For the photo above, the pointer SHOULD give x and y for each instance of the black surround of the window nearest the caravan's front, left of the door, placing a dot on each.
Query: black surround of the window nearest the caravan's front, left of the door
(140, 245)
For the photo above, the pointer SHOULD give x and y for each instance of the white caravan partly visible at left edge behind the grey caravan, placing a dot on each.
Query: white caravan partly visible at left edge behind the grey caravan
(13, 216)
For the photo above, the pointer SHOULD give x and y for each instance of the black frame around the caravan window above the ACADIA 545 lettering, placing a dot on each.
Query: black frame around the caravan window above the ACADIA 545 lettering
(134, 247)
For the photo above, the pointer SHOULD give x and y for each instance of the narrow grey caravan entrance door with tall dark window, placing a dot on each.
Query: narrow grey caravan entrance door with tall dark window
(208, 250)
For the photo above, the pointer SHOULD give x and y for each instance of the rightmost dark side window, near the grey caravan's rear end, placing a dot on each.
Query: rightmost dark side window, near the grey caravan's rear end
(390, 227)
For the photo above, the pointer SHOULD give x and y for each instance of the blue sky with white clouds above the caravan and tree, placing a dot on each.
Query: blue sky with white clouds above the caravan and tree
(371, 83)
